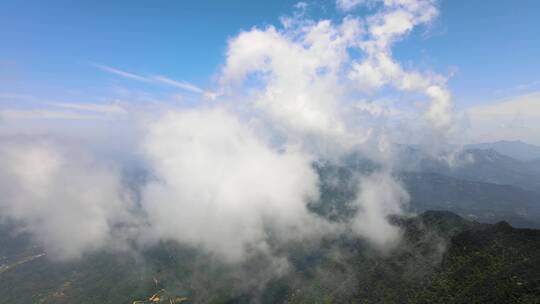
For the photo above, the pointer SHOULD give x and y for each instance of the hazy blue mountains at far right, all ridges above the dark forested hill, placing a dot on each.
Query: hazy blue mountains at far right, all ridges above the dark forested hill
(481, 183)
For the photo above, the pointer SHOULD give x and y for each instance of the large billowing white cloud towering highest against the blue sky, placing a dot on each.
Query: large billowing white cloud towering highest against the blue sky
(302, 75)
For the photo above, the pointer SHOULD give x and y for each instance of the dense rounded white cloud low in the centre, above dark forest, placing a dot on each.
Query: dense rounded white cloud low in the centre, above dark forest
(220, 187)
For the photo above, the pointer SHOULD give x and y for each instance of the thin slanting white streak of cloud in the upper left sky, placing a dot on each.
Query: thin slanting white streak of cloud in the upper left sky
(158, 79)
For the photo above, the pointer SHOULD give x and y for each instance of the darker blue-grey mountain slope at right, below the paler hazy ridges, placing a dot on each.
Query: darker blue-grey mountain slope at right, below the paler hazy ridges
(481, 201)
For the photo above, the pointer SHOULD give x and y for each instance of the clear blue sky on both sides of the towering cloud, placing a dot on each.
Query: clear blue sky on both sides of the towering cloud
(48, 48)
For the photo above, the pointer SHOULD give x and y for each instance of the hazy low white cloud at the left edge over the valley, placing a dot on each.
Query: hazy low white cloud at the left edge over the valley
(66, 201)
